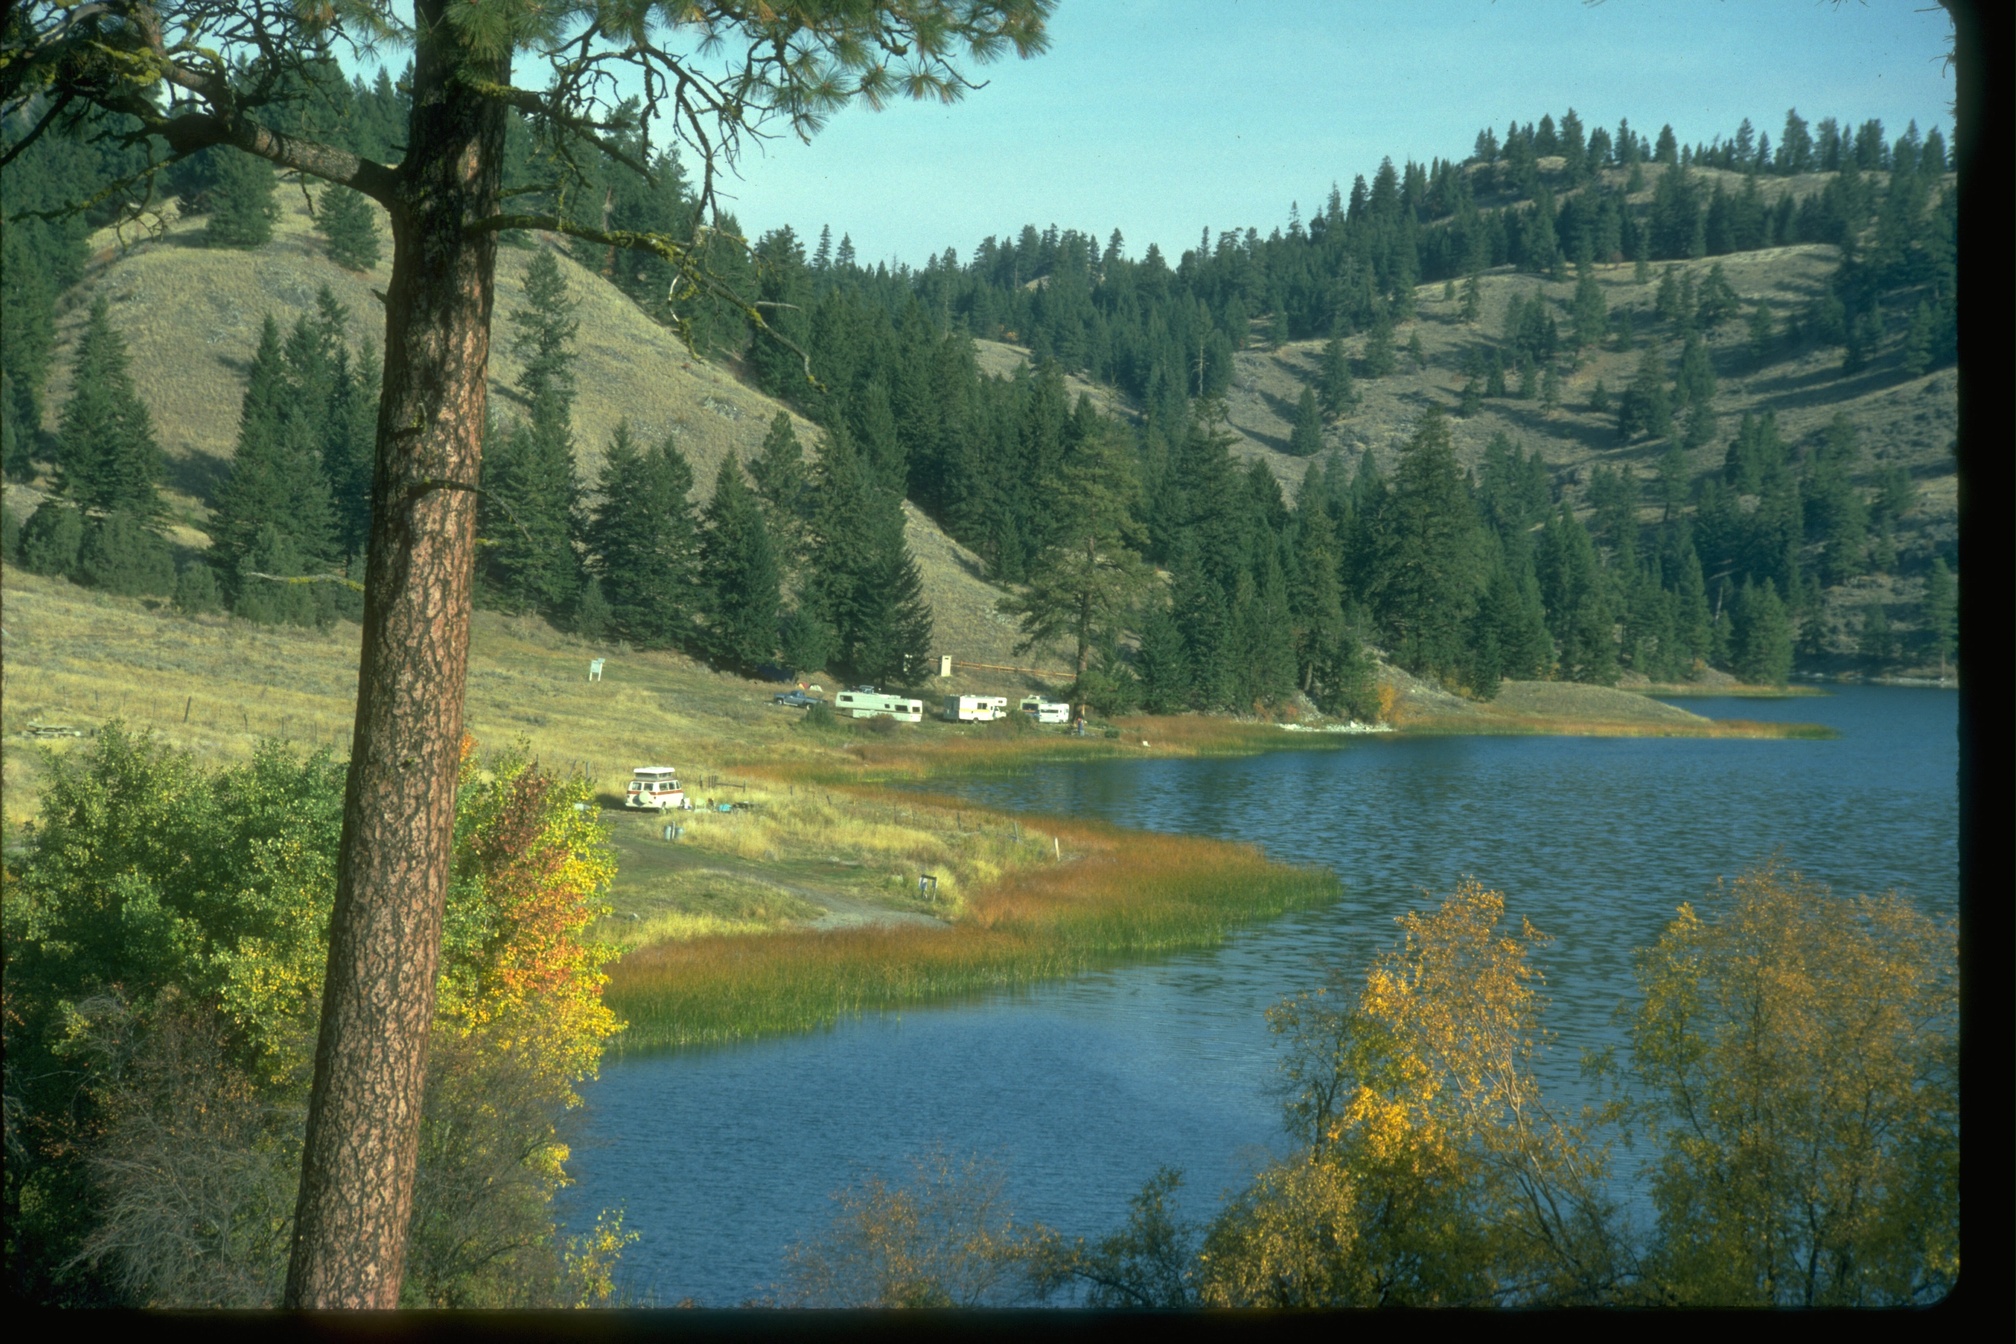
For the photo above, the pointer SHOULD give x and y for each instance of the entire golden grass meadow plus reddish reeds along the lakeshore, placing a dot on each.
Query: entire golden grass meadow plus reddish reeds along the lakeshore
(715, 926)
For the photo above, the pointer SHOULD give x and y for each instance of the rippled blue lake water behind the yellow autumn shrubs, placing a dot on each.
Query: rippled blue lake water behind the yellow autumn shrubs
(1082, 1089)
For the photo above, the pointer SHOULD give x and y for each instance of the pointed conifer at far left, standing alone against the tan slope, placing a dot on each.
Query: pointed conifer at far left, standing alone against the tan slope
(106, 452)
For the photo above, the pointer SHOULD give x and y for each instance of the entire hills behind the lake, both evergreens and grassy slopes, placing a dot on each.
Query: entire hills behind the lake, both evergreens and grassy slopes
(1582, 406)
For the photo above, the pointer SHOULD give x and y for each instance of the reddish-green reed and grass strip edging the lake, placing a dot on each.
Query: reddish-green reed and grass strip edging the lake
(1080, 896)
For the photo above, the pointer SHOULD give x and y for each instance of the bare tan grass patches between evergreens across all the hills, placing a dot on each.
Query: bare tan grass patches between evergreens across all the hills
(193, 317)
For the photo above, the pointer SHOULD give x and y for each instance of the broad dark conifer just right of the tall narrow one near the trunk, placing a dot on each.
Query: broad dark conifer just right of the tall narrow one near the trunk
(642, 541)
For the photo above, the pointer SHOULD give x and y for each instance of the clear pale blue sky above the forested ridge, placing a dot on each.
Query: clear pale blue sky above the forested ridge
(1164, 118)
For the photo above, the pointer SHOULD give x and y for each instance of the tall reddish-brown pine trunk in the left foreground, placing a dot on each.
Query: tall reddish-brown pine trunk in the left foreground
(398, 813)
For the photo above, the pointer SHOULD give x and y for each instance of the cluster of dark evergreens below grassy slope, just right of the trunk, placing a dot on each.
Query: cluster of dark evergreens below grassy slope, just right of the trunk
(787, 563)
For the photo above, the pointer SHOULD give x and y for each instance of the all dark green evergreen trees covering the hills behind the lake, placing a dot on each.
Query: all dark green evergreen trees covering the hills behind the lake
(1015, 471)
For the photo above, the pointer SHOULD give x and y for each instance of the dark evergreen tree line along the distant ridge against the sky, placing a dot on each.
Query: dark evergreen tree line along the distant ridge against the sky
(1168, 333)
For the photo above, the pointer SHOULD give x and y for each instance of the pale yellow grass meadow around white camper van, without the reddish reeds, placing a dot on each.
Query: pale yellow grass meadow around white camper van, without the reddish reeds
(219, 686)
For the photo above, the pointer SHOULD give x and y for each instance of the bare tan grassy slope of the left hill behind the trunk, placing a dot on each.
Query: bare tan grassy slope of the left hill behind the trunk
(193, 315)
